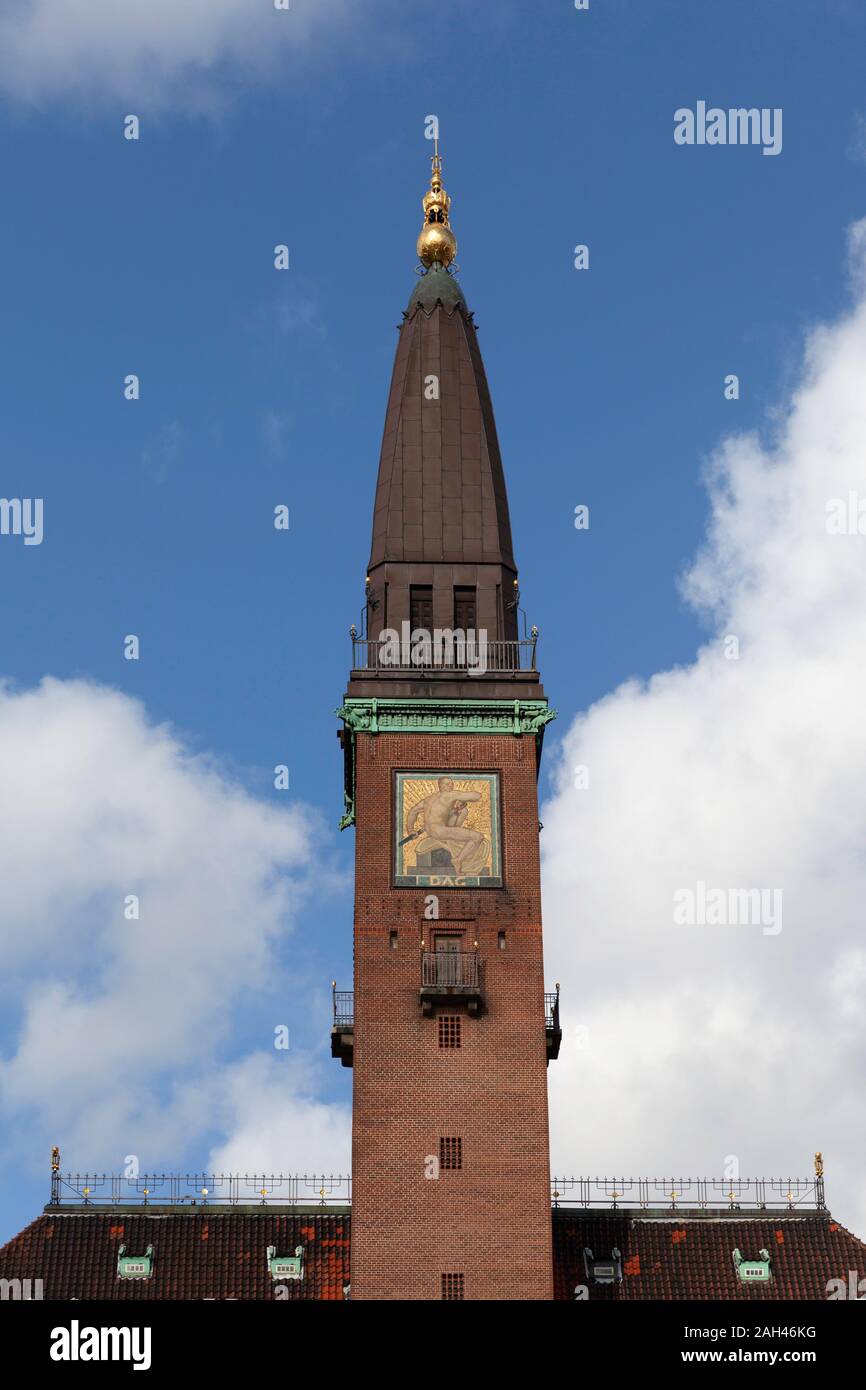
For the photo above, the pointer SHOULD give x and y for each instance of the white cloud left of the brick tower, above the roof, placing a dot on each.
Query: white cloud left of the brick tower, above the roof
(122, 1029)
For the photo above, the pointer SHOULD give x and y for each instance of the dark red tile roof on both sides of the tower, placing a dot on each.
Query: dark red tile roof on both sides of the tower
(223, 1253)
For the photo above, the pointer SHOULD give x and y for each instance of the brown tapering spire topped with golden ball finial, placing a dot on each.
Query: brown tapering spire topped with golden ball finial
(441, 519)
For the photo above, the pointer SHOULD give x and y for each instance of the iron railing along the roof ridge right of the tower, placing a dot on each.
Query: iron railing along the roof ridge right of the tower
(683, 1193)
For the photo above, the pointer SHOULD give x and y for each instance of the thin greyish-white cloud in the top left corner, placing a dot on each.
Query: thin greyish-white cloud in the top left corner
(156, 52)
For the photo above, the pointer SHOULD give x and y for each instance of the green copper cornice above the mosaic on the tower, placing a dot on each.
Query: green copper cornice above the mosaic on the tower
(434, 717)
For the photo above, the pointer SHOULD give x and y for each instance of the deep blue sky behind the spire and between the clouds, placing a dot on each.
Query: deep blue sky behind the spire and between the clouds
(258, 389)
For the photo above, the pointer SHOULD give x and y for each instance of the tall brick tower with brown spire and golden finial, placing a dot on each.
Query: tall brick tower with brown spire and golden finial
(450, 1029)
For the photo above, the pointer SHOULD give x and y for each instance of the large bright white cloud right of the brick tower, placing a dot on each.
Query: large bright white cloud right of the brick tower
(751, 774)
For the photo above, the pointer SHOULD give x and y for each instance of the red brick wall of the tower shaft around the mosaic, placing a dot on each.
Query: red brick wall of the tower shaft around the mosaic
(490, 1221)
